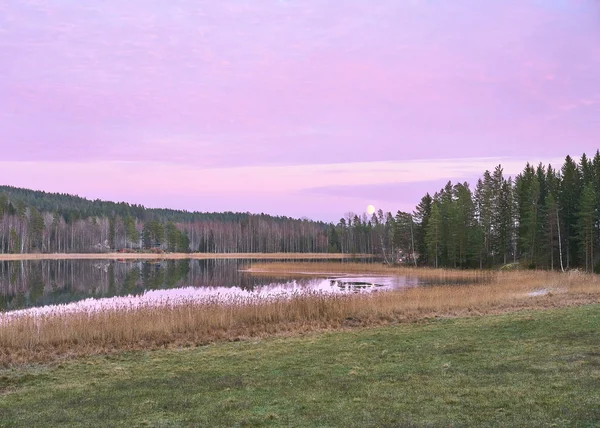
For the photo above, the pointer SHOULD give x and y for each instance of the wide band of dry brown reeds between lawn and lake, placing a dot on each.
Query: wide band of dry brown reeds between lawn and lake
(51, 336)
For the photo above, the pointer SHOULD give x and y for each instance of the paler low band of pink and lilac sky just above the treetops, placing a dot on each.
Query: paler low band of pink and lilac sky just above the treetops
(319, 190)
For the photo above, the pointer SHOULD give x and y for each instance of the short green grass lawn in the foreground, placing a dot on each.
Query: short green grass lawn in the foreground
(528, 369)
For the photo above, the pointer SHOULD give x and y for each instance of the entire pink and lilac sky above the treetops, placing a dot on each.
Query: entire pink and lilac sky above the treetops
(302, 108)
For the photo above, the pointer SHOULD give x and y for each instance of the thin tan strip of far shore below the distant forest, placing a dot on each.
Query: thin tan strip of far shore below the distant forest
(178, 256)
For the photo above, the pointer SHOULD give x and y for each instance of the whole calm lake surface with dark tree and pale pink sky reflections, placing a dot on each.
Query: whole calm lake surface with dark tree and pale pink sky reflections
(75, 286)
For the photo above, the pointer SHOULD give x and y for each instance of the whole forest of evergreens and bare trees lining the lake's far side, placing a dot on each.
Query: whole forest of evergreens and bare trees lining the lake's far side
(545, 217)
